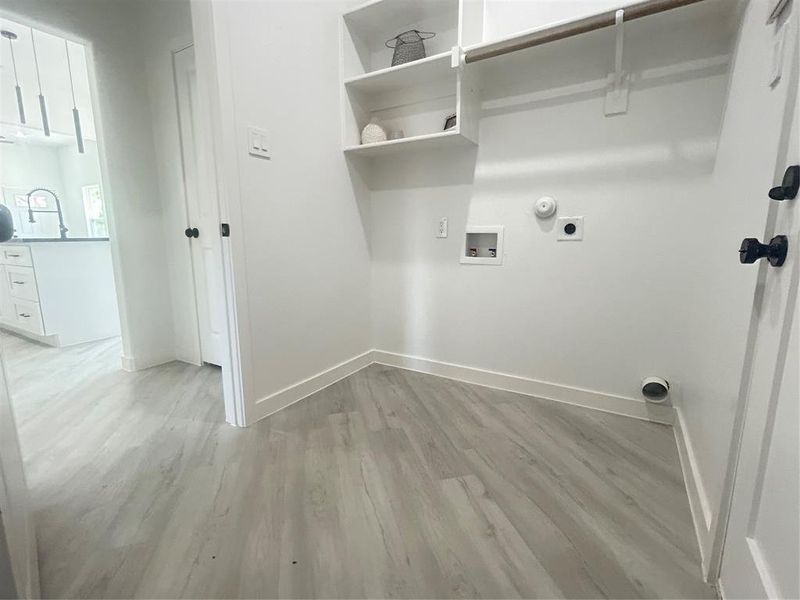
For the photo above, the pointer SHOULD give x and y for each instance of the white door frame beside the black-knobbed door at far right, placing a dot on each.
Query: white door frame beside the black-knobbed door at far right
(719, 526)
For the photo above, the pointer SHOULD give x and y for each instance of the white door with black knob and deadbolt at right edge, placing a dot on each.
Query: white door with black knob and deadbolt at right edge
(761, 552)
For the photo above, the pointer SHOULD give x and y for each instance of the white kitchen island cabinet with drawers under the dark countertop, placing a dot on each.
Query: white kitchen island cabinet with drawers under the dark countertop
(58, 292)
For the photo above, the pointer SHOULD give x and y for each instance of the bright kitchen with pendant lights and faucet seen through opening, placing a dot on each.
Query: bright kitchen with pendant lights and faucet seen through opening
(56, 274)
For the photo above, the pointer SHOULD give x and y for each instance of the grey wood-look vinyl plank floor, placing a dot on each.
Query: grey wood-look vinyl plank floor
(387, 484)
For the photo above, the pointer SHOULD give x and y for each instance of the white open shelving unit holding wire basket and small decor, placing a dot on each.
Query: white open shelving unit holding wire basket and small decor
(413, 99)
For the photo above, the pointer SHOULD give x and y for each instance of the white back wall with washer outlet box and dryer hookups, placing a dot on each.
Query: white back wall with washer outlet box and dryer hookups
(599, 314)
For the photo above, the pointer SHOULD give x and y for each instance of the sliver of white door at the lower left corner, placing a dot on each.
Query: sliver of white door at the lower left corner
(19, 571)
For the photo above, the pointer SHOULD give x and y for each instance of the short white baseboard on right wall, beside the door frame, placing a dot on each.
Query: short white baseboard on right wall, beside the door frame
(698, 499)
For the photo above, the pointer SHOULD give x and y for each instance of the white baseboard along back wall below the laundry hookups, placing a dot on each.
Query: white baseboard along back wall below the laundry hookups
(619, 405)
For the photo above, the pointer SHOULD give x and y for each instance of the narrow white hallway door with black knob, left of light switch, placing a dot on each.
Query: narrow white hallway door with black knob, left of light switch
(202, 213)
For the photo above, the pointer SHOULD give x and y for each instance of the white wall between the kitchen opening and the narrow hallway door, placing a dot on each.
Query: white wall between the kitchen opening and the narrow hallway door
(120, 37)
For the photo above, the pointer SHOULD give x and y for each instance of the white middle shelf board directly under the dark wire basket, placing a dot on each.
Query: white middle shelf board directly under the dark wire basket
(392, 79)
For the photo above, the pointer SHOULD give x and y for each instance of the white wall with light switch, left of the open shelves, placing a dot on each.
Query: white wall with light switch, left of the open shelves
(298, 238)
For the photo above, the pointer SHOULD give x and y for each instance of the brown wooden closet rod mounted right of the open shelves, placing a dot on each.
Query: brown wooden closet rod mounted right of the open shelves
(565, 30)
